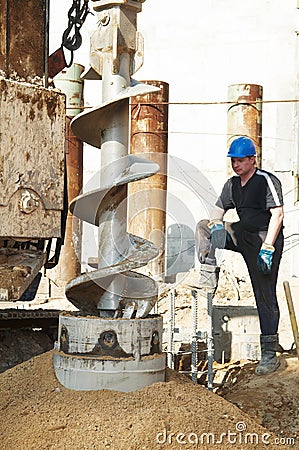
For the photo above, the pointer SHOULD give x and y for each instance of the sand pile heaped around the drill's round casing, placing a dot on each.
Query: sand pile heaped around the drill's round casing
(36, 412)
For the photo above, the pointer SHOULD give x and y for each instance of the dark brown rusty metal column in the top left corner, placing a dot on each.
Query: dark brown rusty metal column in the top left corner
(22, 41)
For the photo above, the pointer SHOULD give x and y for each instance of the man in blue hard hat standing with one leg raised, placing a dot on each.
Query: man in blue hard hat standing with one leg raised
(258, 236)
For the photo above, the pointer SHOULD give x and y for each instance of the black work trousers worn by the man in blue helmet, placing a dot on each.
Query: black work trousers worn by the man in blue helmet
(248, 243)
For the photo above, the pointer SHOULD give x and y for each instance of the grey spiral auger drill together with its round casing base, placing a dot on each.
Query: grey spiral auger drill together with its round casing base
(114, 302)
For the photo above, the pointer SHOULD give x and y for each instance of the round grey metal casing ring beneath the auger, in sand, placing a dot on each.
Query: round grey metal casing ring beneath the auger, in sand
(94, 353)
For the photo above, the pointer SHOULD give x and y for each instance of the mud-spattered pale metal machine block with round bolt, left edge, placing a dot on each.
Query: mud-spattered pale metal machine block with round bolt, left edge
(32, 128)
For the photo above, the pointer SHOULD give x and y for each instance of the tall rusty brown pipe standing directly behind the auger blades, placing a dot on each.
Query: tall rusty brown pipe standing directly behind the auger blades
(147, 197)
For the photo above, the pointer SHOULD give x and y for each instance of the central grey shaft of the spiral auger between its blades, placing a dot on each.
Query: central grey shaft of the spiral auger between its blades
(115, 140)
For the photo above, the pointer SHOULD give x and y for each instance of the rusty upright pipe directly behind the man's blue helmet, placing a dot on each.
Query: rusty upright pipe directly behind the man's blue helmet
(244, 117)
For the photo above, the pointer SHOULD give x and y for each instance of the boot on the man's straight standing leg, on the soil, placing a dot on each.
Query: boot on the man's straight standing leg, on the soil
(269, 361)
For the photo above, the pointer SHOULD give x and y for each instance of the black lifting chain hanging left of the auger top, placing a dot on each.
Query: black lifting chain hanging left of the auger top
(71, 38)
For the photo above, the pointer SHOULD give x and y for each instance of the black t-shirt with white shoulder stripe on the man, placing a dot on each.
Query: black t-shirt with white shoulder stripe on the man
(252, 201)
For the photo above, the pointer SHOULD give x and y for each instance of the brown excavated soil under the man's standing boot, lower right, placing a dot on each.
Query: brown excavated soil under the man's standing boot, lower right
(272, 400)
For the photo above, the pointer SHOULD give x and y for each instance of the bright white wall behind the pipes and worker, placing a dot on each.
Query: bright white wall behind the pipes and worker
(200, 47)
